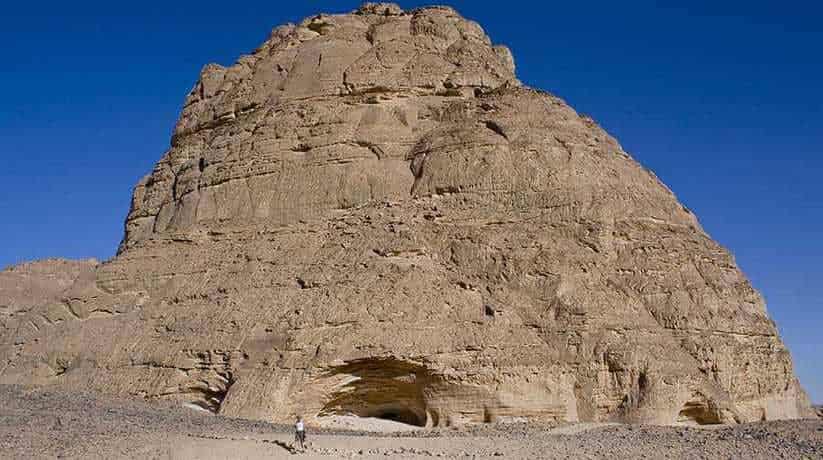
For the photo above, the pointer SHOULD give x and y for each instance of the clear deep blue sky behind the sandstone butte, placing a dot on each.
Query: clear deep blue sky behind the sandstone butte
(724, 102)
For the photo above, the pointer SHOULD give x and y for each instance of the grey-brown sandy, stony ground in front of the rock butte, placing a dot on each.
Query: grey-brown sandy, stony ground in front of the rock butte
(47, 423)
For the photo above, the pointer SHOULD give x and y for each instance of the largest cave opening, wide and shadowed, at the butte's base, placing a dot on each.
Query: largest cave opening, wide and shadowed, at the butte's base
(384, 388)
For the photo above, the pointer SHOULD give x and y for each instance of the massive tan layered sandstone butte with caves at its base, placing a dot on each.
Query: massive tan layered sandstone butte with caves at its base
(370, 215)
